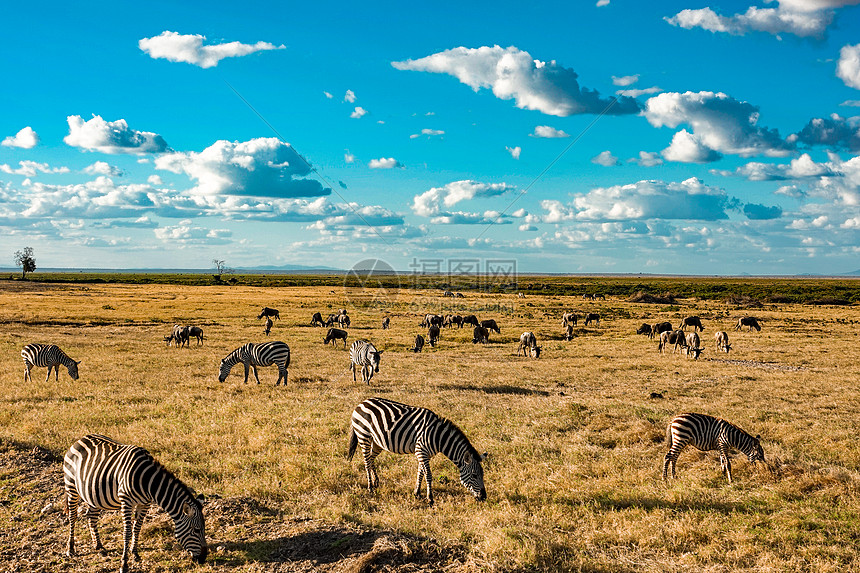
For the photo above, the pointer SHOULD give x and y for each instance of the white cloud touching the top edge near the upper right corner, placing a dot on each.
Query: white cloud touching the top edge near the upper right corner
(804, 18)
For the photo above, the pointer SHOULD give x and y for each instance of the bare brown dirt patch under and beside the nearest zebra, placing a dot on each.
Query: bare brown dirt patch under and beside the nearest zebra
(241, 532)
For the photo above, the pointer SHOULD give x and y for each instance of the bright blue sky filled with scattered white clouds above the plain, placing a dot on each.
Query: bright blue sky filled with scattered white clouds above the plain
(609, 136)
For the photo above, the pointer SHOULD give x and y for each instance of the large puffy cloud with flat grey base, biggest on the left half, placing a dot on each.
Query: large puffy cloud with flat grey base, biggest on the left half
(262, 167)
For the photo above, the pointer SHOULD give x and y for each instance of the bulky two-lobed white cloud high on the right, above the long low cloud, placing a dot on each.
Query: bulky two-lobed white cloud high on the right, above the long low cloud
(720, 123)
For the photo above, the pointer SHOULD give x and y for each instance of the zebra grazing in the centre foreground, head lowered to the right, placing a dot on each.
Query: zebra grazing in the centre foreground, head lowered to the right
(379, 424)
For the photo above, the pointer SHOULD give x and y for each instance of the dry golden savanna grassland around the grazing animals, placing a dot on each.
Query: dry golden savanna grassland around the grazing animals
(575, 438)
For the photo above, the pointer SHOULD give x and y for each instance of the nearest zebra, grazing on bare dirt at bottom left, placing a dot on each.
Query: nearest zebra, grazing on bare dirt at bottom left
(107, 475)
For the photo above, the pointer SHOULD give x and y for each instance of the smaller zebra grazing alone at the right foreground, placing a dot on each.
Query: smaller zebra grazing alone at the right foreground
(709, 433)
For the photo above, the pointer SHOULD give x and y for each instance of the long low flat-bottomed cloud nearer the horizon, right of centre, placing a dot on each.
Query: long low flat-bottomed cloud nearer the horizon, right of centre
(689, 200)
